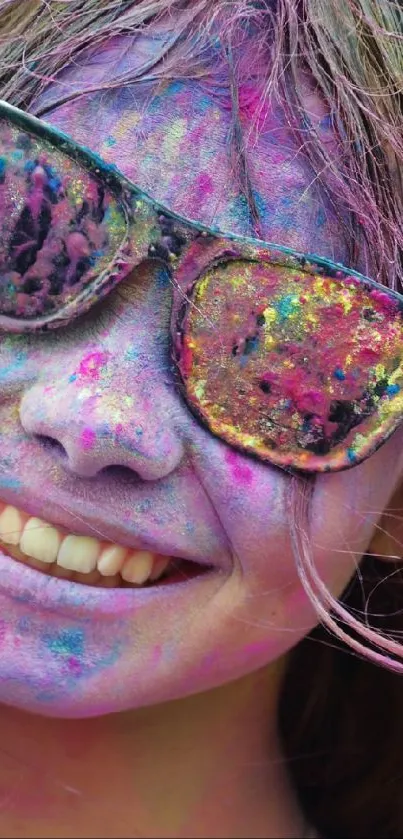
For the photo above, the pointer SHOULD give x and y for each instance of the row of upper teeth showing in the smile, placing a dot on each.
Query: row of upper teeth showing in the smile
(84, 554)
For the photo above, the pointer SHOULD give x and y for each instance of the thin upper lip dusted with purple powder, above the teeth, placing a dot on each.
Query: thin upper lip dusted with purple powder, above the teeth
(75, 523)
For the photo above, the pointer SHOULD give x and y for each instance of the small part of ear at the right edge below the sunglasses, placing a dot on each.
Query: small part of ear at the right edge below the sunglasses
(387, 541)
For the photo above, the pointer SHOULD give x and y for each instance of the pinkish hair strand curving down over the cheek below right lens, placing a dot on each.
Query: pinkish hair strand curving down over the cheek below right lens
(321, 598)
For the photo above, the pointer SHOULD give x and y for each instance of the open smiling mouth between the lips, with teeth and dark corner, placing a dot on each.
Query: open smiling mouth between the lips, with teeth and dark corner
(86, 560)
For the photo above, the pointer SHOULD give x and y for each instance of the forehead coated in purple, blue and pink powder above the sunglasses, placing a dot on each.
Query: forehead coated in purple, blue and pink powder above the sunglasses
(175, 140)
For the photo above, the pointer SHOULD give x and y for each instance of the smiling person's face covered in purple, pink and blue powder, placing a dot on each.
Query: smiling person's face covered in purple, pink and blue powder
(95, 438)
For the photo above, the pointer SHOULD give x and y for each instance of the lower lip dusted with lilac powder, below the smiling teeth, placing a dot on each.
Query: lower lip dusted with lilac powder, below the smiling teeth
(42, 592)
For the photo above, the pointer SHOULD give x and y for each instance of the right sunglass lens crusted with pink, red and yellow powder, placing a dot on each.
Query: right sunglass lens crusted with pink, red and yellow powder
(272, 366)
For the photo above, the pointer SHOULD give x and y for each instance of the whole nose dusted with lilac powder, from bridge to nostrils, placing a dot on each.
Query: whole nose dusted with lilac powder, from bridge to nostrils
(111, 403)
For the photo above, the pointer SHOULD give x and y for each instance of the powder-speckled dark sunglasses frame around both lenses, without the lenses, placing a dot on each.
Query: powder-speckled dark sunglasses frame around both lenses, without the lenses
(210, 244)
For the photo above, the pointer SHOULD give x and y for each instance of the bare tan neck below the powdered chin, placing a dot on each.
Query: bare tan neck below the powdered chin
(208, 765)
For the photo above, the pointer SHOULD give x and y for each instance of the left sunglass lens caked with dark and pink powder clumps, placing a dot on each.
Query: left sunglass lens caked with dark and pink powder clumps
(61, 227)
